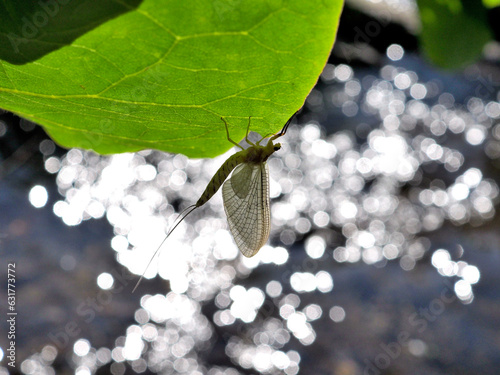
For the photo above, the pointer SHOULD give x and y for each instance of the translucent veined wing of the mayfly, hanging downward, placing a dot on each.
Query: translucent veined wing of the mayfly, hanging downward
(246, 202)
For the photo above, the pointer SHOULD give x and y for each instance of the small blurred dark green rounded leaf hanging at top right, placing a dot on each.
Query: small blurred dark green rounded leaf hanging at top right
(454, 32)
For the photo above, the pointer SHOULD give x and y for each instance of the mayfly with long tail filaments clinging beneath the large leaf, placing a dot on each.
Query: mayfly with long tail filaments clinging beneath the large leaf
(245, 194)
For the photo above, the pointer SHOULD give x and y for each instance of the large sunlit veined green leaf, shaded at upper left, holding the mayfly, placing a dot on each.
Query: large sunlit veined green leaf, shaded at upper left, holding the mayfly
(117, 76)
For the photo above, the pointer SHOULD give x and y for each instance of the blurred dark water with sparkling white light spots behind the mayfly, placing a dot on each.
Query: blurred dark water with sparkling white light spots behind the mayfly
(383, 255)
